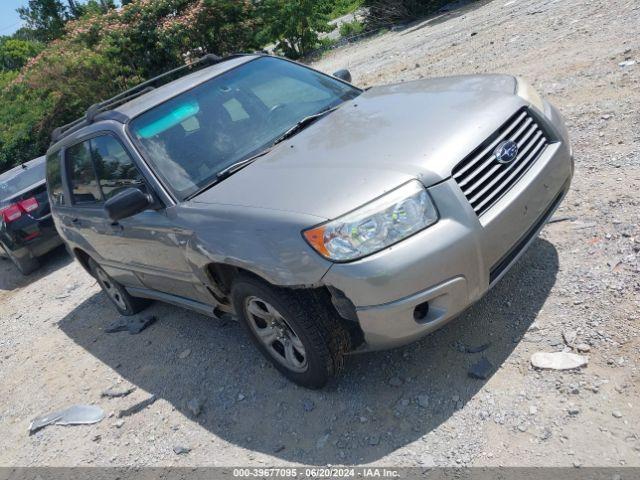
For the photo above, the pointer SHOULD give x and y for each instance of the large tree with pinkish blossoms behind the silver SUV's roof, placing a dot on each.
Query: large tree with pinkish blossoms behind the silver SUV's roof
(102, 54)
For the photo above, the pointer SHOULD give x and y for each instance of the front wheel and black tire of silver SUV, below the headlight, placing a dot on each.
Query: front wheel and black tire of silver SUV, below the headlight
(295, 329)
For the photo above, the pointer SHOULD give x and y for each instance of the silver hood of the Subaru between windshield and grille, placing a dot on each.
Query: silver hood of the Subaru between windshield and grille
(372, 144)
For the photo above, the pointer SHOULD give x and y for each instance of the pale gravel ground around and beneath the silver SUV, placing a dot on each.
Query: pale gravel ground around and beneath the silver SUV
(414, 406)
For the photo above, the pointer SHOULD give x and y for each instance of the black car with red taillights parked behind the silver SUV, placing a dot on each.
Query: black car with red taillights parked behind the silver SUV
(26, 226)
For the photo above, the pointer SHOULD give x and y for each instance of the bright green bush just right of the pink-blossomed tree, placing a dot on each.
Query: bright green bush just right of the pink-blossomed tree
(294, 25)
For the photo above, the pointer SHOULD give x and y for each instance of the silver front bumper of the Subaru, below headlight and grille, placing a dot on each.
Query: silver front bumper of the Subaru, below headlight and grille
(452, 264)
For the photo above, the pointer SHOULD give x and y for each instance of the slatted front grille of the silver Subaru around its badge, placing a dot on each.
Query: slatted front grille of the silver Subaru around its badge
(483, 179)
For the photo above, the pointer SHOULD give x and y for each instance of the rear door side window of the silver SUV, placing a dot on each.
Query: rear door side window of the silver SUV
(82, 176)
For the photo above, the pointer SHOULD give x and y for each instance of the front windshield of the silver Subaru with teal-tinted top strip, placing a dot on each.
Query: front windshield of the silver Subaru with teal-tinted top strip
(193, 136)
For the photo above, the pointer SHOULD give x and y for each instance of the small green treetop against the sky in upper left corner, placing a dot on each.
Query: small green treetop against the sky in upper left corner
(44, 19)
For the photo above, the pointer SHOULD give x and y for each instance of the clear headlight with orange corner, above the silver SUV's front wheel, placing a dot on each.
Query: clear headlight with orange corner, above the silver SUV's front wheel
(376, 225)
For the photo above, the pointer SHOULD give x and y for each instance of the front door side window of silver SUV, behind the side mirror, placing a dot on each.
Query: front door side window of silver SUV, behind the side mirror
(115, 168)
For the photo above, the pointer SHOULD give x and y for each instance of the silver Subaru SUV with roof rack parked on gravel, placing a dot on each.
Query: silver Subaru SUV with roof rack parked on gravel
(327, 218)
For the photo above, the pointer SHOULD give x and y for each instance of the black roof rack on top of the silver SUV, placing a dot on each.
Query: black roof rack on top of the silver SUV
(140, 89)
